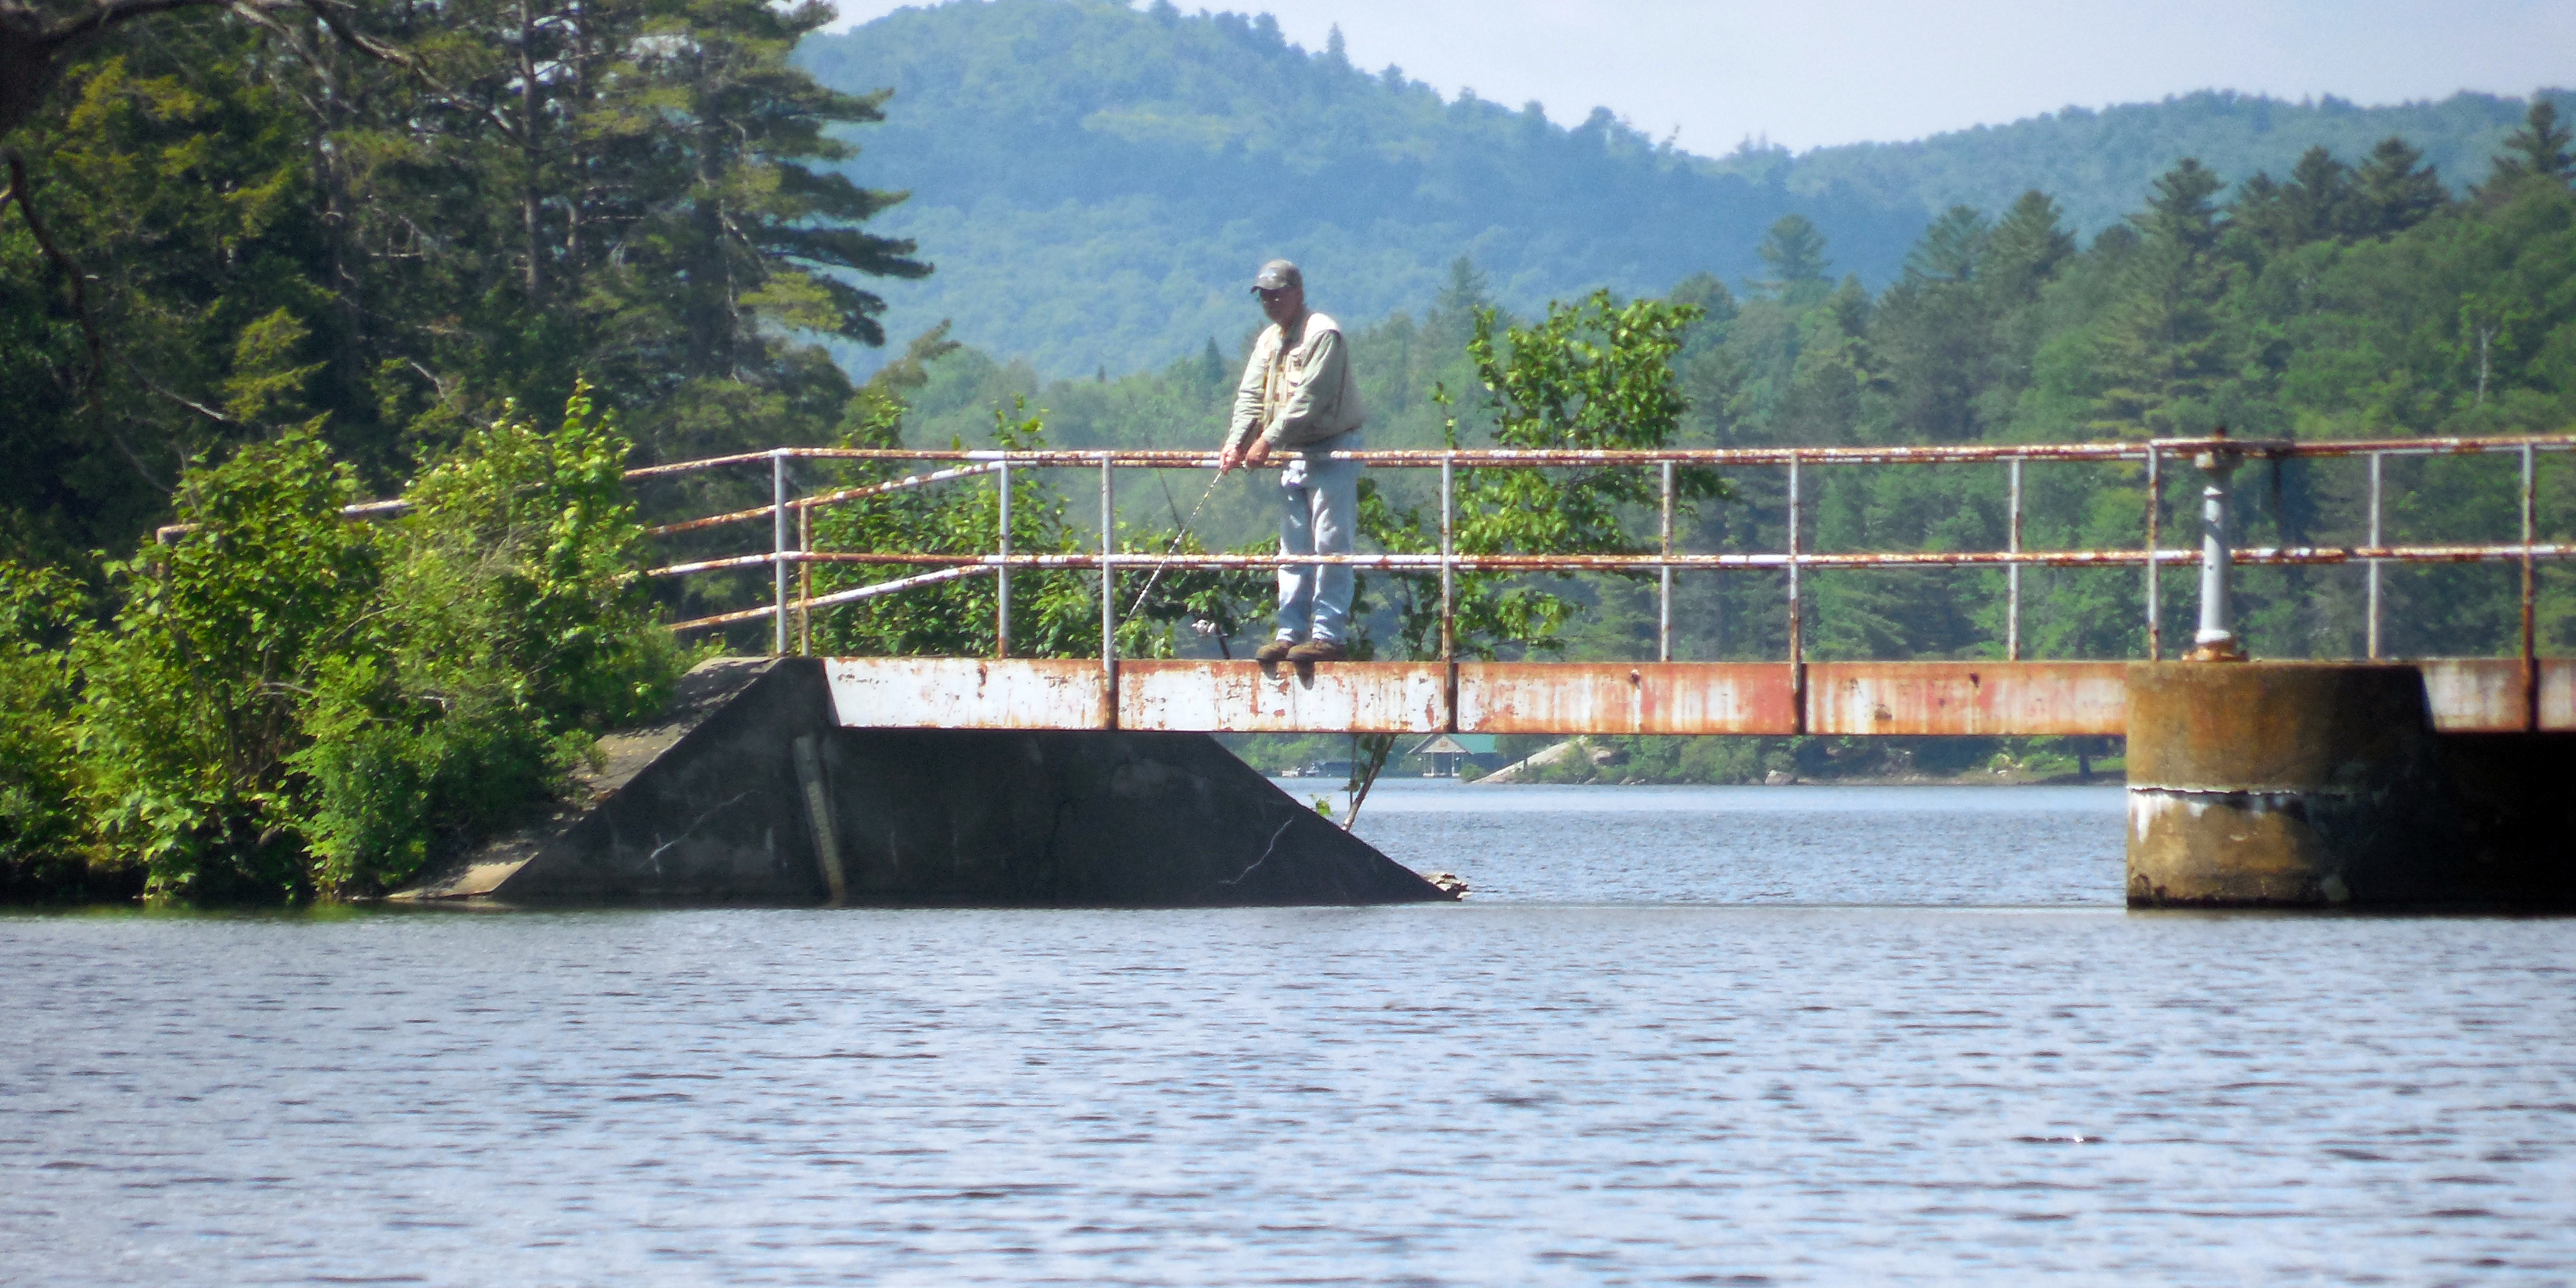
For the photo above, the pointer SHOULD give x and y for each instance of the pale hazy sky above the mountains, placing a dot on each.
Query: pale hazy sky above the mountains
(1846, 71)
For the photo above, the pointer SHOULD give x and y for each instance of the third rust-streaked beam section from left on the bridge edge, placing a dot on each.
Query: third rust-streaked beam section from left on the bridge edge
(1627, 699)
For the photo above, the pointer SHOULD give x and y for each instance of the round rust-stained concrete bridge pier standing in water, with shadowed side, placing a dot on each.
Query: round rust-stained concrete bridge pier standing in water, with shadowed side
(2325, 784)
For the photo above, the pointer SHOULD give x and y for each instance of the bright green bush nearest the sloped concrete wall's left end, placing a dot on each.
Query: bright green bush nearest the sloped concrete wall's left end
(511, 630)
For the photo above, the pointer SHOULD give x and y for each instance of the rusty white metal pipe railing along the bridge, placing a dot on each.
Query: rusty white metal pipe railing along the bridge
(2217, 457)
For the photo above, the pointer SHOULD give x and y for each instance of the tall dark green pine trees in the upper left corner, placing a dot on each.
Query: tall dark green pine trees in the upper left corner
(269, 228)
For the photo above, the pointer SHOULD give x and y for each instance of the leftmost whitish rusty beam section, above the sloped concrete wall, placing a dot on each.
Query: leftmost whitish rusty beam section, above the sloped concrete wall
(967, 694)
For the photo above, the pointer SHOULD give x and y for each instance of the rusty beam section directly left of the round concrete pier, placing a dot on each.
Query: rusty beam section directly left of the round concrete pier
(1967, 697)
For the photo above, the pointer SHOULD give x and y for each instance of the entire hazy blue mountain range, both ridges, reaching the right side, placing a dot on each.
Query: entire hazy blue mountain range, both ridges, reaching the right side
(1096, 182)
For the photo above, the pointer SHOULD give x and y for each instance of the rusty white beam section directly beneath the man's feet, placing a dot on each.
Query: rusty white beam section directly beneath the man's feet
(1325, 699)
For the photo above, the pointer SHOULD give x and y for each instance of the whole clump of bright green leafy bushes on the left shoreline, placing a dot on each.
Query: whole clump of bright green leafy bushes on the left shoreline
(298, 705)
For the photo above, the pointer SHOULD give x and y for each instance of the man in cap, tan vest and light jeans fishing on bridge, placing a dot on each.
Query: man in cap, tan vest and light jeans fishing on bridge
(1302, 398)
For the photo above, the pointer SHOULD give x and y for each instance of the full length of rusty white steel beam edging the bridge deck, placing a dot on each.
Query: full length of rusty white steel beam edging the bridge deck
(2477, 694)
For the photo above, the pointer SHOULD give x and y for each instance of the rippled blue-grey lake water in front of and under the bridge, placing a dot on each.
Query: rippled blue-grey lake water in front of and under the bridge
(1676, 1037)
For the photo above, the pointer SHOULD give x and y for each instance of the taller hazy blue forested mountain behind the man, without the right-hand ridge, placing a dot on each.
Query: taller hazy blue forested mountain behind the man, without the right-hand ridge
(1101, 179)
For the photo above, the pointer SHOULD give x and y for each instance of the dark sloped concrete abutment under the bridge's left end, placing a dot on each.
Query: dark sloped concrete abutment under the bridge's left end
(753, 795)
